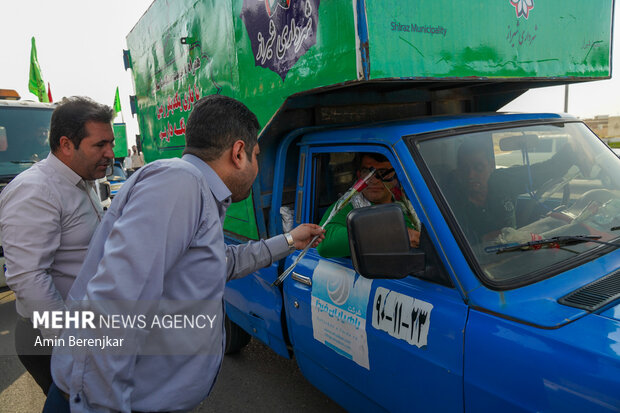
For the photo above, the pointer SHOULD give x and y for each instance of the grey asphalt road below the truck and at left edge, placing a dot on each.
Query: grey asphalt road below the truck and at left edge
(256, 379)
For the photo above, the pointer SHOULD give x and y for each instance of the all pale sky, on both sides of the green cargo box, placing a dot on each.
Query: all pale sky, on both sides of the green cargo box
(80, 45)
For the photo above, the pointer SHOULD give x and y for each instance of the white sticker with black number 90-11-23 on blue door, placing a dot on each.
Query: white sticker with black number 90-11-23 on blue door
(401, 316)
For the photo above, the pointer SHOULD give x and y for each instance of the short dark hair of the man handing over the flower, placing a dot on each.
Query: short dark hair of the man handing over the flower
(216, 122)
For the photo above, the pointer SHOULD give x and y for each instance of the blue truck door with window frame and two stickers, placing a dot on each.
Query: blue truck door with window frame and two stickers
(372, 345)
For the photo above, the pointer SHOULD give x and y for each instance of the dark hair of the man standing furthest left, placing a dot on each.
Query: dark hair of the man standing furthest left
(70, 117)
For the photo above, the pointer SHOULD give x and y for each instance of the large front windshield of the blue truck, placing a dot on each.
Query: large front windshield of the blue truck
(522, 184)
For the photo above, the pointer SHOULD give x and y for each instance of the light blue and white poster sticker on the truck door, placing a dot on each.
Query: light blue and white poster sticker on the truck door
(339, 303)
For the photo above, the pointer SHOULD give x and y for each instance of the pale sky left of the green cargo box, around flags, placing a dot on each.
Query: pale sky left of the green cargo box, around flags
(79, 45)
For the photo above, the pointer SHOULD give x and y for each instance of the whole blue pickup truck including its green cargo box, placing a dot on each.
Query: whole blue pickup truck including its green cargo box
(511, 304)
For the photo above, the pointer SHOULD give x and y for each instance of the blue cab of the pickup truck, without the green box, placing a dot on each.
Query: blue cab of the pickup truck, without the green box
(534, 328)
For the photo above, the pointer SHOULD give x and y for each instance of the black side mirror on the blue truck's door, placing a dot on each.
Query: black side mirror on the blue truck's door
(379, 243)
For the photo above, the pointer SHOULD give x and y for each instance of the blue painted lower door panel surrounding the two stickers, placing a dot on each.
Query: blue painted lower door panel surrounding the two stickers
(401, 376)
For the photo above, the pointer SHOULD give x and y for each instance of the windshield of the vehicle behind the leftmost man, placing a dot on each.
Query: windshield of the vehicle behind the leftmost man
(23, 137)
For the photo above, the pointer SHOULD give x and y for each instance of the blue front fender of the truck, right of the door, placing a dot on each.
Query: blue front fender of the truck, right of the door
(514, 367)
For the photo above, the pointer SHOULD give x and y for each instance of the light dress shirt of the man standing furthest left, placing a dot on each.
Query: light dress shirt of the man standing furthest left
(48, 215)
